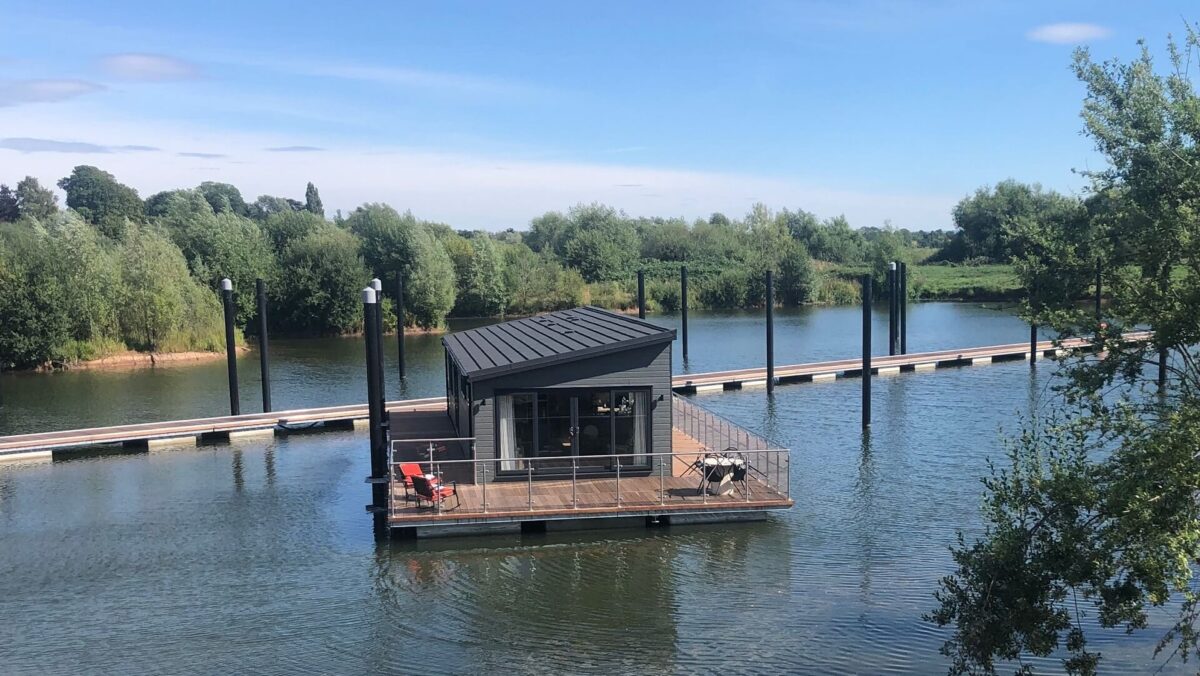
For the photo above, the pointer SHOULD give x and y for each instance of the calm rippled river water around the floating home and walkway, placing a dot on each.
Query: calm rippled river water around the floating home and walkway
(259, 558)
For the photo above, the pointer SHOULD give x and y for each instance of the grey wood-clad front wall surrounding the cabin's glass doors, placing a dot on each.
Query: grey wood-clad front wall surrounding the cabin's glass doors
(647, 367)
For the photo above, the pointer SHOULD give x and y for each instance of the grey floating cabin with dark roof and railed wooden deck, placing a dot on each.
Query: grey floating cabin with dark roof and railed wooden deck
(568, 421)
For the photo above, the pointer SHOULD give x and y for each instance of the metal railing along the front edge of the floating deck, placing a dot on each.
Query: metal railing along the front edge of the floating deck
(620, 482)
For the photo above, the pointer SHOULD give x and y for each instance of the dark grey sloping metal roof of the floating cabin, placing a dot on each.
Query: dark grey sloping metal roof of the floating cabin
(532, 343)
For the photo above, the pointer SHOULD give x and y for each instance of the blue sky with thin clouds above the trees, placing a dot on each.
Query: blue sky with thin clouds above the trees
(487, 115)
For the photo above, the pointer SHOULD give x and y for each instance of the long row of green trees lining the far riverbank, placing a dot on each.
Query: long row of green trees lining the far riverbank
(112, 271)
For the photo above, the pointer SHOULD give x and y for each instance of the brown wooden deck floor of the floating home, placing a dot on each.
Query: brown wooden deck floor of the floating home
(674, 493)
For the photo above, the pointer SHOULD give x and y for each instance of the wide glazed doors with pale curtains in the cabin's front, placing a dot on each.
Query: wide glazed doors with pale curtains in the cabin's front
(595, 426)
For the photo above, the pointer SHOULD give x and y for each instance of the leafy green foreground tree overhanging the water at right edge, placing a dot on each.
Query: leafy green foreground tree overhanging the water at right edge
(1095, 521)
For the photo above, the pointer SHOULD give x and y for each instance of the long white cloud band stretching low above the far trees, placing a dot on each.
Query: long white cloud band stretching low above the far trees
(491, 192)
